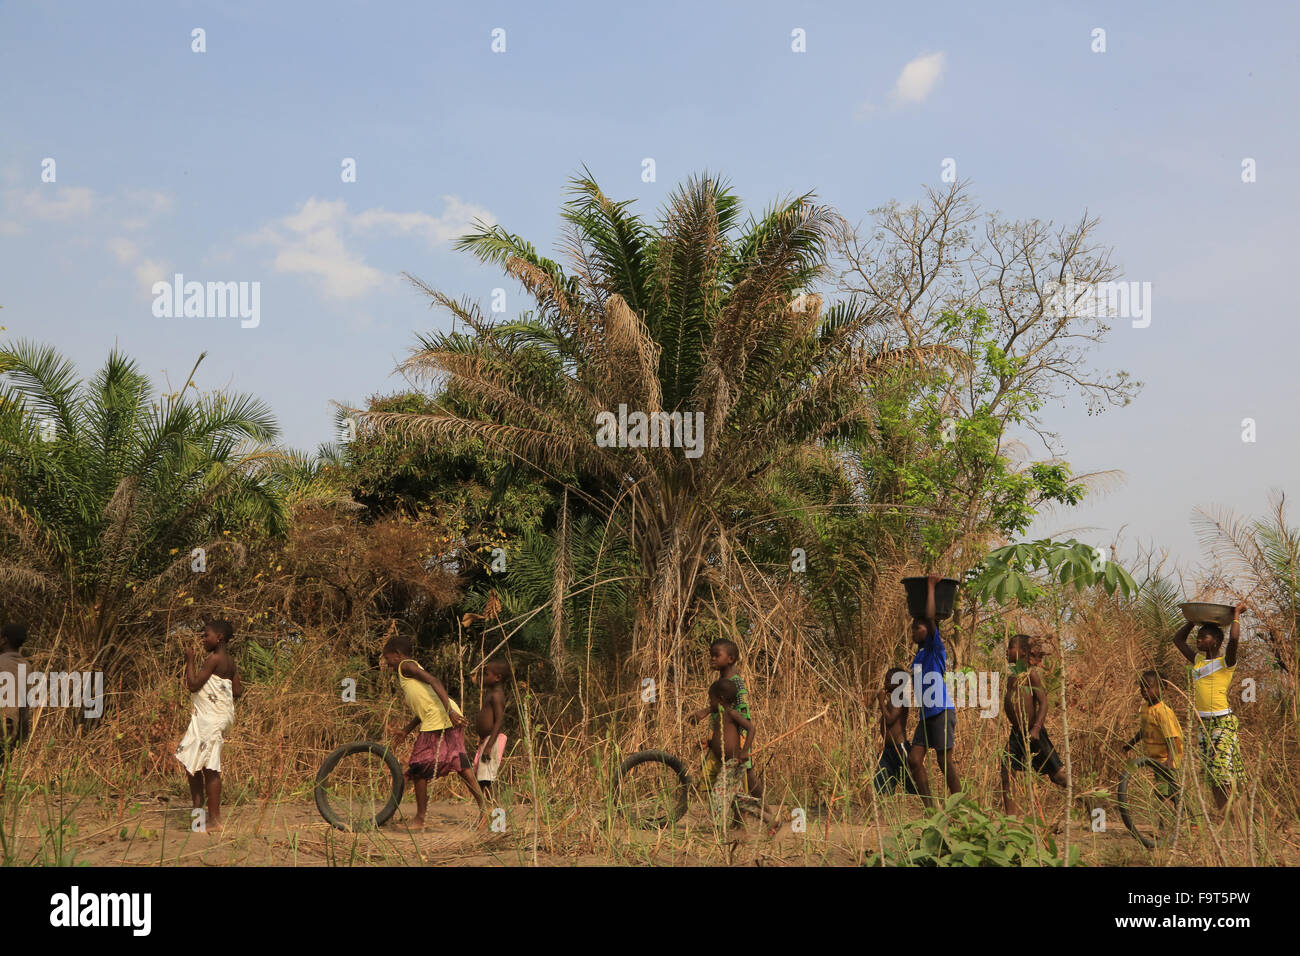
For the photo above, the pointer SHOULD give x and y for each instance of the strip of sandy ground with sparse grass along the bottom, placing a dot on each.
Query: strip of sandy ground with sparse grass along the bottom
(154, 829)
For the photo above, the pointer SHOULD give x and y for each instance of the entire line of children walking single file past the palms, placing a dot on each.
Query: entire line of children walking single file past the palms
(729, 771)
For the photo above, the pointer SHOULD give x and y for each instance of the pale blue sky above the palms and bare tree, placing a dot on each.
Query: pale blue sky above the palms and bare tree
(224, 166)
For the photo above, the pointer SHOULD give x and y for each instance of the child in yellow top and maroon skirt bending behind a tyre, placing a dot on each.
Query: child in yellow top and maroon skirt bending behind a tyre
(440, 749)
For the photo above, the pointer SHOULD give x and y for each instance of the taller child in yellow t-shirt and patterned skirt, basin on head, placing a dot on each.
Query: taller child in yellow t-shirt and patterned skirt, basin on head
(1212, 676)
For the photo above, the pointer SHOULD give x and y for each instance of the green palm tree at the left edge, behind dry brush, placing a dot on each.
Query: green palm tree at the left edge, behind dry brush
(107, 487)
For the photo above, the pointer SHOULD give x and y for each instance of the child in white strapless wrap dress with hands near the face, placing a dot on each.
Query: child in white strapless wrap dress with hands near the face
(215, 687)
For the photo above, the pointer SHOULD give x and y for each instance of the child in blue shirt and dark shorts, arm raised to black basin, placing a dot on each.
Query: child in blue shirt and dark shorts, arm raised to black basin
(938, 726)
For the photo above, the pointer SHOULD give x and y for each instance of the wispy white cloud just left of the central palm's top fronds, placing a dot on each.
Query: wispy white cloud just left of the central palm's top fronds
(319, 240)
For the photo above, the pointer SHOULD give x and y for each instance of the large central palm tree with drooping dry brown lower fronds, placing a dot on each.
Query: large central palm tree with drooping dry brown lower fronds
(695, 314)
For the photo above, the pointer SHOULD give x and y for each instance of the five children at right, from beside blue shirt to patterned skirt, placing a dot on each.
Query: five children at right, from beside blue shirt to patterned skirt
(1026, 706)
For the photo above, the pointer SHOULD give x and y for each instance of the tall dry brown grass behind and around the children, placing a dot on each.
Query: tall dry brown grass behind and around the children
(571, 730)
